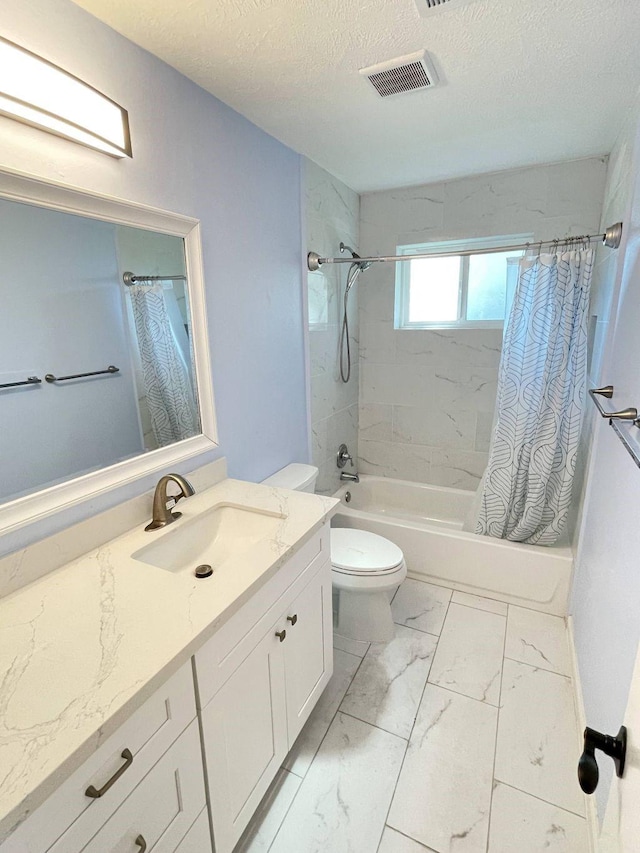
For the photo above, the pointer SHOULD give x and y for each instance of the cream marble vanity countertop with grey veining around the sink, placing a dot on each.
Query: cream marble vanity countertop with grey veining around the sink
(84, 646)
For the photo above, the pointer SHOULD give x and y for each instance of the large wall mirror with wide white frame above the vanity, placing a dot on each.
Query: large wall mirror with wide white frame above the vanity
(104, 367)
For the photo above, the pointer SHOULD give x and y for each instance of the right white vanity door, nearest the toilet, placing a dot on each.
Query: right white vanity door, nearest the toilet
(308, 649)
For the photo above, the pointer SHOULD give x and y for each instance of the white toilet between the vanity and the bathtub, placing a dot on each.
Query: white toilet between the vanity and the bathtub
(366, 569)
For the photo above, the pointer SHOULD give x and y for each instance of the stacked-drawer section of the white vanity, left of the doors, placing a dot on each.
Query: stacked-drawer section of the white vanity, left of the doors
(150, 779)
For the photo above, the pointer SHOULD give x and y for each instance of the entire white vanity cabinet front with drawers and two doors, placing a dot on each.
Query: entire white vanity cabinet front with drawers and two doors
(256, 681)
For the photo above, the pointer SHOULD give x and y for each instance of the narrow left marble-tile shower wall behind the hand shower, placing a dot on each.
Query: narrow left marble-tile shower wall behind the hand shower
(332, 212)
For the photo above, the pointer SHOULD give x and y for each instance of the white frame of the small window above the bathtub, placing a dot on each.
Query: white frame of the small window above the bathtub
(403, 276)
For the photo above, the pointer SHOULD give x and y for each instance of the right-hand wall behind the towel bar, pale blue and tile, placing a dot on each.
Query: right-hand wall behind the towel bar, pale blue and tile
(606, 589)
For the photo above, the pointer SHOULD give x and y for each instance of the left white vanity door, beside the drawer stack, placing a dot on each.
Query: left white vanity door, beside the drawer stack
(245, 739)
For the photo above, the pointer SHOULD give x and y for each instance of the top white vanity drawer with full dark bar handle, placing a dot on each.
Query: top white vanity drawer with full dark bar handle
(146, 735)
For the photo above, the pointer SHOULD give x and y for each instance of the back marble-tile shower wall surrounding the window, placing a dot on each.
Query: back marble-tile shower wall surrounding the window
(427, 397)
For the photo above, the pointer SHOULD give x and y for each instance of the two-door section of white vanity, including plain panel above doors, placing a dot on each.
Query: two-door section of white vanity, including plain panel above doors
(258, 682)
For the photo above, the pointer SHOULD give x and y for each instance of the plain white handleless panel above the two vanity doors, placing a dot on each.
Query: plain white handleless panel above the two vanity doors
(226, 650)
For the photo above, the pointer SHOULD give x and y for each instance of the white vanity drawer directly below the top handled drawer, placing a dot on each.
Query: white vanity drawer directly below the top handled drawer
(158, 813)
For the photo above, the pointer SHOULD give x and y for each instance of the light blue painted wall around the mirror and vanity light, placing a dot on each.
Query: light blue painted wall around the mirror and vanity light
(196, 156)
